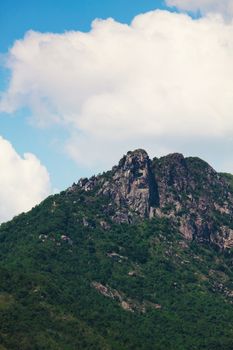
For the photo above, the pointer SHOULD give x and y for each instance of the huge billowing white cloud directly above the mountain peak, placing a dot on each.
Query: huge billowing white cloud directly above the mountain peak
(164, 77)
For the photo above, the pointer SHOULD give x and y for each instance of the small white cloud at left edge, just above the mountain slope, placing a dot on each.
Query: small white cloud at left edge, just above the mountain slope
(24, 181)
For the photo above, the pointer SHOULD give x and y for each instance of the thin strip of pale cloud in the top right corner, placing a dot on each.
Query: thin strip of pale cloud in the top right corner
(225, 7)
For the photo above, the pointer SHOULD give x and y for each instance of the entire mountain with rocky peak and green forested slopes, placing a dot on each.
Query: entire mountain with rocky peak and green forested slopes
(139, 257)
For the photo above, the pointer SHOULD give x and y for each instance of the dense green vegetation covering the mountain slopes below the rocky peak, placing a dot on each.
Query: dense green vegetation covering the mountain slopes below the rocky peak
(162, 292)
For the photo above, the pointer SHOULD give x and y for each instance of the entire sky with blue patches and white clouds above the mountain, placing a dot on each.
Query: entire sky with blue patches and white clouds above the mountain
(83, 82)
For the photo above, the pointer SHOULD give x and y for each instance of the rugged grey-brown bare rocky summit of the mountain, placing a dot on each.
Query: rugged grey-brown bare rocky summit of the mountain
(187, 190)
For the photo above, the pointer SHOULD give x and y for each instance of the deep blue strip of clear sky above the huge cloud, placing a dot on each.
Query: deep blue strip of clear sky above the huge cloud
(16, 17)
